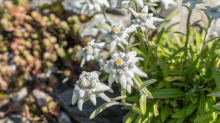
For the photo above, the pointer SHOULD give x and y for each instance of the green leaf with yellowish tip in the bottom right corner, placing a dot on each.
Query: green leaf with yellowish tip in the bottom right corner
(206, 118)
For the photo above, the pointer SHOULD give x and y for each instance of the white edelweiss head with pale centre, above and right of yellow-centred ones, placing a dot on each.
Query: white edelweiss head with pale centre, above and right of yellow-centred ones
(144, 19)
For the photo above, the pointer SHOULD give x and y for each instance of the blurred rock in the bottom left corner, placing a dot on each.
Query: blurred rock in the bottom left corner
(15, 118)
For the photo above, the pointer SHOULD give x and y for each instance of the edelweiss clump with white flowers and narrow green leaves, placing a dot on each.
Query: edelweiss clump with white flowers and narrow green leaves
(169, 78)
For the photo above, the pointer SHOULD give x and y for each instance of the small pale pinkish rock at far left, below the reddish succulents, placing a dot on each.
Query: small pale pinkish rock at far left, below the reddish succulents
(20, 95)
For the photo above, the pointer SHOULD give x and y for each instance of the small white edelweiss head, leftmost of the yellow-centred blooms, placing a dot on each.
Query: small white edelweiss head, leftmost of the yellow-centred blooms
(91, 52)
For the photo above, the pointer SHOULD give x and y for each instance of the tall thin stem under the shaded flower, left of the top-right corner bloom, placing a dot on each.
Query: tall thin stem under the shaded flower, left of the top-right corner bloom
(187, 31)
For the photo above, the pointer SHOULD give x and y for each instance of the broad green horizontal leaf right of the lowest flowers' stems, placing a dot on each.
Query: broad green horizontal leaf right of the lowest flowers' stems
(168, 93)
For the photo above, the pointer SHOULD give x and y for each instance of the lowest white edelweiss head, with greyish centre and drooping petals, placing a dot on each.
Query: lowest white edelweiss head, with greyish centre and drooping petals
(89, 87)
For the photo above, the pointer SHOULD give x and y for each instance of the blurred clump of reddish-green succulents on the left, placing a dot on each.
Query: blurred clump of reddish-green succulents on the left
(37, 52)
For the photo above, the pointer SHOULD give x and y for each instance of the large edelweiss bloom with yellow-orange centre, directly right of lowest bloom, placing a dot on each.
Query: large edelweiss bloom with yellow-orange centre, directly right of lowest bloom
(122, 68)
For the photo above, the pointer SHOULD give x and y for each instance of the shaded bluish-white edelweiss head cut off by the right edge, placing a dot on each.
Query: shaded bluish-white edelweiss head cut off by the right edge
(215, 11)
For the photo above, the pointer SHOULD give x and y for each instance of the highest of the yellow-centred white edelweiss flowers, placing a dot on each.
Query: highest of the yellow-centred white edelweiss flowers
(117, 35)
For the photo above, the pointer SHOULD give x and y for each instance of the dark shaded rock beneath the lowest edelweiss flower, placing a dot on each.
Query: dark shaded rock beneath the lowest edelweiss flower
(110, 115)
